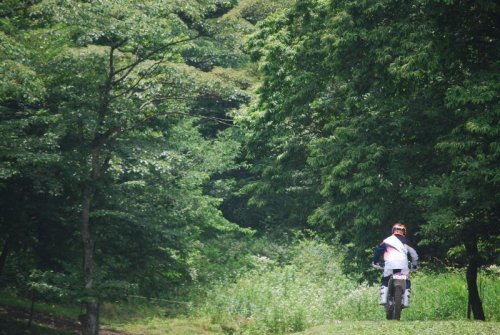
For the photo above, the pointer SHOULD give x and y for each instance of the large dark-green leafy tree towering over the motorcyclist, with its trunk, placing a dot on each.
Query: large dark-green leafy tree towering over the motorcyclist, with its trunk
(397, 101)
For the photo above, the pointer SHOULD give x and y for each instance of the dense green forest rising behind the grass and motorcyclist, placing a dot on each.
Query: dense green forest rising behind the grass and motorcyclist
(162, 149)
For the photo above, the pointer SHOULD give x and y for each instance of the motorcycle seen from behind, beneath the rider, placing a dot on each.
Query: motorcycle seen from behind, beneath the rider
(397, 287)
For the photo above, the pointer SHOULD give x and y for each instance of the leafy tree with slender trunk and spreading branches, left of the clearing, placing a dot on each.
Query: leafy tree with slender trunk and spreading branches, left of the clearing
(115, 93)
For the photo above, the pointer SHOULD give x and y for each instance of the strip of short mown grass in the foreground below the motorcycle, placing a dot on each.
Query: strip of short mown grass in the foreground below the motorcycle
(406, 328)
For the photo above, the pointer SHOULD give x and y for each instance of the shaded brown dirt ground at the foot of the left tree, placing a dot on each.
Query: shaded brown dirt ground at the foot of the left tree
(49, 320)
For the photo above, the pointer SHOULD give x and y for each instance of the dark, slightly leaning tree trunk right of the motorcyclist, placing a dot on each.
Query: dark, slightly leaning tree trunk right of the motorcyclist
(474, 303)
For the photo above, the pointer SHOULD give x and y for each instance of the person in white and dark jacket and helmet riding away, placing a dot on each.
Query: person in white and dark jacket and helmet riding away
(395, 249)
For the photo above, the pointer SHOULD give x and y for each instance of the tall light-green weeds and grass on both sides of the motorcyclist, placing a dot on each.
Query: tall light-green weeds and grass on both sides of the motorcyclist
(312, 290)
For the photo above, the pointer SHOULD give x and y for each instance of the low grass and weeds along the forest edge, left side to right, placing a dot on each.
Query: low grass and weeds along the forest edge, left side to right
(305, 289)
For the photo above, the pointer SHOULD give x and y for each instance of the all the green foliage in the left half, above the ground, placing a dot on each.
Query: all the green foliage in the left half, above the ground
(104, 97)
